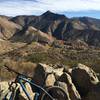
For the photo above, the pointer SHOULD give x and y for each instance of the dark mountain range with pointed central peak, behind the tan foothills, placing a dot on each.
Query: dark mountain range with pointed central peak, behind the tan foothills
(63, 28)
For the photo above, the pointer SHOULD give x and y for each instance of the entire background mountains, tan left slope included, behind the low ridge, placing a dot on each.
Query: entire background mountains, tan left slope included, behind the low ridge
(59, 26)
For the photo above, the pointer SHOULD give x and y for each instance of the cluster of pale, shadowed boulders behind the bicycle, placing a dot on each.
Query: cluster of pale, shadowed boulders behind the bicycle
(79, 82)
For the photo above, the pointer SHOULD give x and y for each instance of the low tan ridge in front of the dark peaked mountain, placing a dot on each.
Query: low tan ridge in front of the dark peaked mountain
(31, 34)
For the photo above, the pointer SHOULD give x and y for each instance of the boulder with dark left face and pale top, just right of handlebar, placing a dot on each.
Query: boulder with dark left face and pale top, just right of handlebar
(41, 72)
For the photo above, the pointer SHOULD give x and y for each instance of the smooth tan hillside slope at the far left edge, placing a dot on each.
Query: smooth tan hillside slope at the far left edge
(8, 28)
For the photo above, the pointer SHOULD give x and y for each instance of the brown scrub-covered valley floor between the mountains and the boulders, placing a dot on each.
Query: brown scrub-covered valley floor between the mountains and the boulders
(22, 54)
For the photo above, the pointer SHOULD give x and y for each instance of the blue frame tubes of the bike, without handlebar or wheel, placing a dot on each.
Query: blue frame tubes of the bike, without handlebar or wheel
(20, 80)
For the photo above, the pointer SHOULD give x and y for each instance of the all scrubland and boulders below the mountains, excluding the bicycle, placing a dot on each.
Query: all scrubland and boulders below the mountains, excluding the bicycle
(53, 64)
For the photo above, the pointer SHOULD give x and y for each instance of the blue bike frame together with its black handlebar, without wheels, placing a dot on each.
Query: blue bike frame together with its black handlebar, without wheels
(20, 78)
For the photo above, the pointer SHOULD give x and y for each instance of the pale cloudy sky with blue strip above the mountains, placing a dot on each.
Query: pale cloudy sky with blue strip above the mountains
(70, 8)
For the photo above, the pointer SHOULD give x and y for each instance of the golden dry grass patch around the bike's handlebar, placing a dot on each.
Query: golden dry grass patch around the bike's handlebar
(26, 68)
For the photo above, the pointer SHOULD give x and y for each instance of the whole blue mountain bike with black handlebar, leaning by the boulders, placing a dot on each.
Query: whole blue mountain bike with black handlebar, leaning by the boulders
(50, 93)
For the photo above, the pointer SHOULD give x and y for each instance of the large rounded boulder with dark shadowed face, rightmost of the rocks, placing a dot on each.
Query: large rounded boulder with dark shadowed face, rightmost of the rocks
(84, 78)
